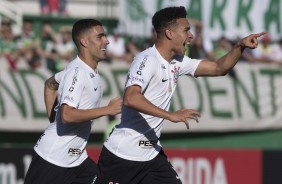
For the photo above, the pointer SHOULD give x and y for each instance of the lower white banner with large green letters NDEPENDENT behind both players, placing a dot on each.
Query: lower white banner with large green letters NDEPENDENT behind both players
(251, 101)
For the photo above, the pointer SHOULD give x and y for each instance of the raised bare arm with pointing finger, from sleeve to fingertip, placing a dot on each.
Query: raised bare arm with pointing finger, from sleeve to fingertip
(224, 64)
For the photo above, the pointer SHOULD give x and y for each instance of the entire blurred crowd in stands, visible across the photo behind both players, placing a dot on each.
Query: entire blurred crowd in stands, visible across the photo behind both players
(54, 49)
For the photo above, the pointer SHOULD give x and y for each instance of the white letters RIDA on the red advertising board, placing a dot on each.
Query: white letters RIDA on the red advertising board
(200, 170)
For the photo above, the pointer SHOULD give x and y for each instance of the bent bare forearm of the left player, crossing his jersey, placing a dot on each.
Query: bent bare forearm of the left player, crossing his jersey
(71, 115)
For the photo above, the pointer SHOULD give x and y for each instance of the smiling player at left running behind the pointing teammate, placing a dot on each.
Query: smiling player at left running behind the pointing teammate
(60, 156)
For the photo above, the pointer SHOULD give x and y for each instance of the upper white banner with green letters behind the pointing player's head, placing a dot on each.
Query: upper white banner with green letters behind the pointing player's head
(229, 18)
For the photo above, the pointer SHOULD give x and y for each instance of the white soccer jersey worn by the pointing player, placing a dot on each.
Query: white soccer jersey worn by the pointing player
(137, 136)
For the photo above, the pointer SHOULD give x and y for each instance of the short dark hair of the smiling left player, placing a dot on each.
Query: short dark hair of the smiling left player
(81, 26)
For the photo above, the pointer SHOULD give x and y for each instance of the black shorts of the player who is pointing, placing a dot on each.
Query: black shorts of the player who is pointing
(117, 170)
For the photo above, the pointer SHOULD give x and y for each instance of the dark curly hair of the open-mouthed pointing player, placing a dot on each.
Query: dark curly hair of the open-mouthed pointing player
(167, 17)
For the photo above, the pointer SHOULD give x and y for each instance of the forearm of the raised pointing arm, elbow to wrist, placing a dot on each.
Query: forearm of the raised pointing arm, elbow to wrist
(228, 61)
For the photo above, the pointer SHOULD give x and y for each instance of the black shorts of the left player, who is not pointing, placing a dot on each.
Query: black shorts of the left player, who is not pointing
(42, 172)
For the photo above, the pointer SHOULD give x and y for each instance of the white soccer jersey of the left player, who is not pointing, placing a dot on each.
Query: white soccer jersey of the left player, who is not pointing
(64, 144)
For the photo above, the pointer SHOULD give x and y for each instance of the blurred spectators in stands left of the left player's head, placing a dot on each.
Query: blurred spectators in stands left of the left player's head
(47, 48)
